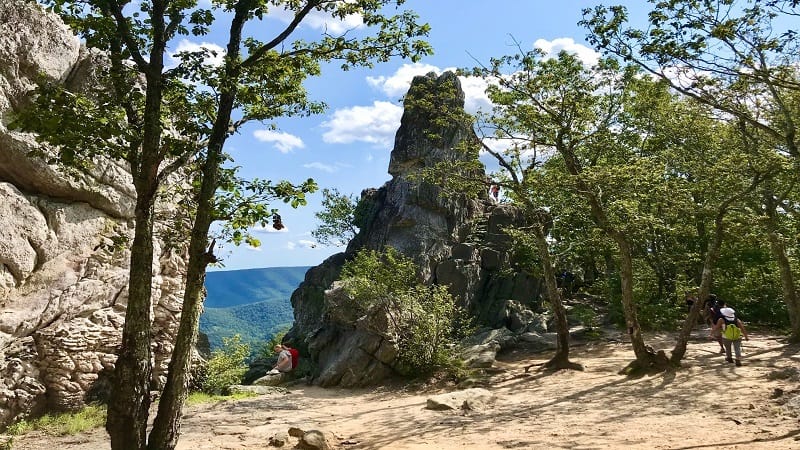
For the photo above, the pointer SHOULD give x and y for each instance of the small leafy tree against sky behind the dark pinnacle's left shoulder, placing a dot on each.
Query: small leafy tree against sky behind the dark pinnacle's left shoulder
(337, 219)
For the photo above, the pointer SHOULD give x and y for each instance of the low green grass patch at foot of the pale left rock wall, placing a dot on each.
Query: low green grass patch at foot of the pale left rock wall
(88, 418)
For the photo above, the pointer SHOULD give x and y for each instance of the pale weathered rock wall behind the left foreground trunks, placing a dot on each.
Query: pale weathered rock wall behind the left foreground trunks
(63, 262)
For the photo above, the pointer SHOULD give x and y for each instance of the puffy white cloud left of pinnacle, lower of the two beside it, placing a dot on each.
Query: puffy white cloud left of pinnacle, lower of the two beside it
(374, 124)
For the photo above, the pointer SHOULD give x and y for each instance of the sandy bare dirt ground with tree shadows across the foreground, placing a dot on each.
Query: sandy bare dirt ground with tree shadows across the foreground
(707, 404)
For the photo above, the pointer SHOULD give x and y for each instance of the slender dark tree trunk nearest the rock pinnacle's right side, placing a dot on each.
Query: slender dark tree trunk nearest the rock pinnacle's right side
(561, 359)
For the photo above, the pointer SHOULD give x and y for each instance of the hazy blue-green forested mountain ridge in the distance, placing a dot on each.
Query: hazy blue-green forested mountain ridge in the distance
(254, 303)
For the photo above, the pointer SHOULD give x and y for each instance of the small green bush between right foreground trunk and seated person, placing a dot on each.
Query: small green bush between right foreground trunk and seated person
(226, 366)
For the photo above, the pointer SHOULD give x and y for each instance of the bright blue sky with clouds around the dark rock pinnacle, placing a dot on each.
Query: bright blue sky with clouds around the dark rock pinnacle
(348, 146)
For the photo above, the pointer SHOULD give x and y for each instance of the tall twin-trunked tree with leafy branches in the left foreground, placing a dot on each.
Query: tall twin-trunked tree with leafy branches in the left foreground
(189, 111)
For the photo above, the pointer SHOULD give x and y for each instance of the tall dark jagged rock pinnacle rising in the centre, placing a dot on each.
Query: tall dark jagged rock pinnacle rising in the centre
(456, 241)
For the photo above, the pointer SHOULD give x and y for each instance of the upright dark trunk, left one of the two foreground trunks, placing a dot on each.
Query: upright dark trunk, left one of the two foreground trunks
(129, 403)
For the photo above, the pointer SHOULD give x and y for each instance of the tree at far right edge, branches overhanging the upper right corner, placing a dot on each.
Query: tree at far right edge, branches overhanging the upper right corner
(732, 56)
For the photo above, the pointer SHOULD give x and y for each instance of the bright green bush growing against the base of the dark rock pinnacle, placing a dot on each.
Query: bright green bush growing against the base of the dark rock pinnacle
(424, 320)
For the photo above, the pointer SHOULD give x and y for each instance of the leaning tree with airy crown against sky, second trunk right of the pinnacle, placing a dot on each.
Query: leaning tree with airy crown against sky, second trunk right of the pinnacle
(559, 104)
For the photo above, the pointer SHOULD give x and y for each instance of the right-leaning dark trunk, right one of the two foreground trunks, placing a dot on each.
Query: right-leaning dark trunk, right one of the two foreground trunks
(166, 427)
